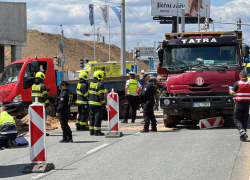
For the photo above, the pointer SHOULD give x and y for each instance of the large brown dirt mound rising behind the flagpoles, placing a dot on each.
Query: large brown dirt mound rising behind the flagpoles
(46, 44)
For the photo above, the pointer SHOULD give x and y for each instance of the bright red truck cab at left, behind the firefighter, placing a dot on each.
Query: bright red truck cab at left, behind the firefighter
(17, 79)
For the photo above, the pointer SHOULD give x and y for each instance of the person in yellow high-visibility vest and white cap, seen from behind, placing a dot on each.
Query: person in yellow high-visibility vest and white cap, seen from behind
(131, 87)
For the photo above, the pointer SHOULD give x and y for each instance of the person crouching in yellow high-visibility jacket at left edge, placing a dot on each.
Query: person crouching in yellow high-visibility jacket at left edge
(7, 128)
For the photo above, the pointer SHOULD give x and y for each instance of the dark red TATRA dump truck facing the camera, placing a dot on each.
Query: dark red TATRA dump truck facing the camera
(195, 73)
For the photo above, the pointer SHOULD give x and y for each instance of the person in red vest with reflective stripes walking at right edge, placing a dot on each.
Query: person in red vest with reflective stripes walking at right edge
(241, 93)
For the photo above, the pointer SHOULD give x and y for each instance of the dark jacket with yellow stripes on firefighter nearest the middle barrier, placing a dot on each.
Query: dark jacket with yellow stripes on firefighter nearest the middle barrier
(96, 94)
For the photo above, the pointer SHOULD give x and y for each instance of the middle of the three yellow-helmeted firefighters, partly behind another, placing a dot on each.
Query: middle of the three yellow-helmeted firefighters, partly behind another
(82, 101)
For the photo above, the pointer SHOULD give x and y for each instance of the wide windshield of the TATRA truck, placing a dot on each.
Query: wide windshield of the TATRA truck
(200, 55)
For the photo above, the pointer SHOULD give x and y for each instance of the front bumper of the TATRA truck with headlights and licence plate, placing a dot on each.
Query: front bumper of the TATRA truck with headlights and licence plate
(179, 102)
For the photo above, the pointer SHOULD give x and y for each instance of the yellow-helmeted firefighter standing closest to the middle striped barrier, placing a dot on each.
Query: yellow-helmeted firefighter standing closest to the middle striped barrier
(96, 104)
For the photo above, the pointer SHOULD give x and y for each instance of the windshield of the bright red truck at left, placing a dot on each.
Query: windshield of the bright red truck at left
(11, 73)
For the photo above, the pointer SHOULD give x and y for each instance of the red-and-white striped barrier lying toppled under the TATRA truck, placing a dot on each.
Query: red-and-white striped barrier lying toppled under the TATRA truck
(211, 123)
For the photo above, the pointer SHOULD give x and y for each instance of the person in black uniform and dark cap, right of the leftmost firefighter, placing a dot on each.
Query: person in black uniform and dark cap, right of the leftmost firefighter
(63, 111)
